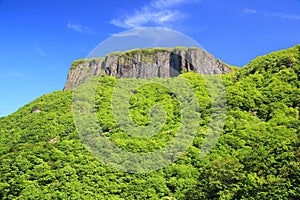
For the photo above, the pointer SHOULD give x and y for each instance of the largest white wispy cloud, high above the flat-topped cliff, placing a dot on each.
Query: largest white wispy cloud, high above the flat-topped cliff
(157, 13)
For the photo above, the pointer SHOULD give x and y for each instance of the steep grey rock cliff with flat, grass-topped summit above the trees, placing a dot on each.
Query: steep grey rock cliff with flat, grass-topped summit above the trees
(146, 63)
